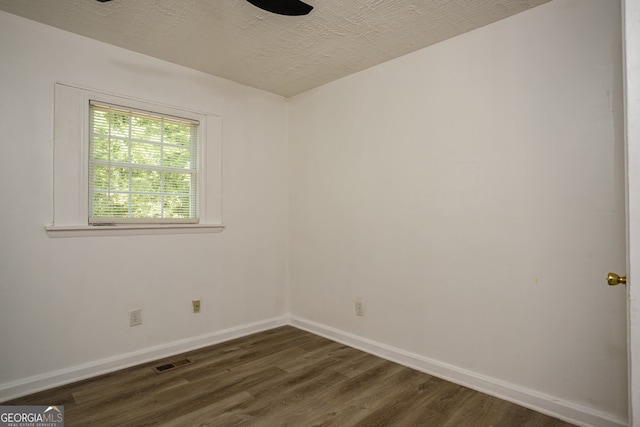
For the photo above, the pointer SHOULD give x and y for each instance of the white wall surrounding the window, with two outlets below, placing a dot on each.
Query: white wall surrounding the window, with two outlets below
(64, 302)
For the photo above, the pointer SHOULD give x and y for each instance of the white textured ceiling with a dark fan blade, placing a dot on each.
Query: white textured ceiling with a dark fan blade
(280, 54)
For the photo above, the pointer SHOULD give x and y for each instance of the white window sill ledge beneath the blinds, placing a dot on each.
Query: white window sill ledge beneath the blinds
(131, 230)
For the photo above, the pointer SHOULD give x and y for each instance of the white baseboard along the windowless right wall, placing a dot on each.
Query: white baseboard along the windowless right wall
(546, 404)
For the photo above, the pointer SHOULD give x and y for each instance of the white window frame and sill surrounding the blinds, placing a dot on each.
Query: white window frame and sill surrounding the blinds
(71, 166)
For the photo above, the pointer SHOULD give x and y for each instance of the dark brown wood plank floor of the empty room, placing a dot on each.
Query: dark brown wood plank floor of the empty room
(281, 377)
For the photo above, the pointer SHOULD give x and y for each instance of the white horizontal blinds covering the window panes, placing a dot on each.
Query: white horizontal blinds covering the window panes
(142, 167)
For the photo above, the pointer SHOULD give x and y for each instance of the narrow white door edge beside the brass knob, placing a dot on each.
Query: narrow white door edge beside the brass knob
(631, 23)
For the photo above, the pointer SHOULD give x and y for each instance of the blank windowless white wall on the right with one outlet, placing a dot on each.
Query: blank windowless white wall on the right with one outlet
(472, 195)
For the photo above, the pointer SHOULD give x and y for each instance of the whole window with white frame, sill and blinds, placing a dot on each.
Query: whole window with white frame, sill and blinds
(128, 166)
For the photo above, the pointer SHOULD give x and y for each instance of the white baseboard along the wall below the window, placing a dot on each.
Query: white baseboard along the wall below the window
(37, 383)
